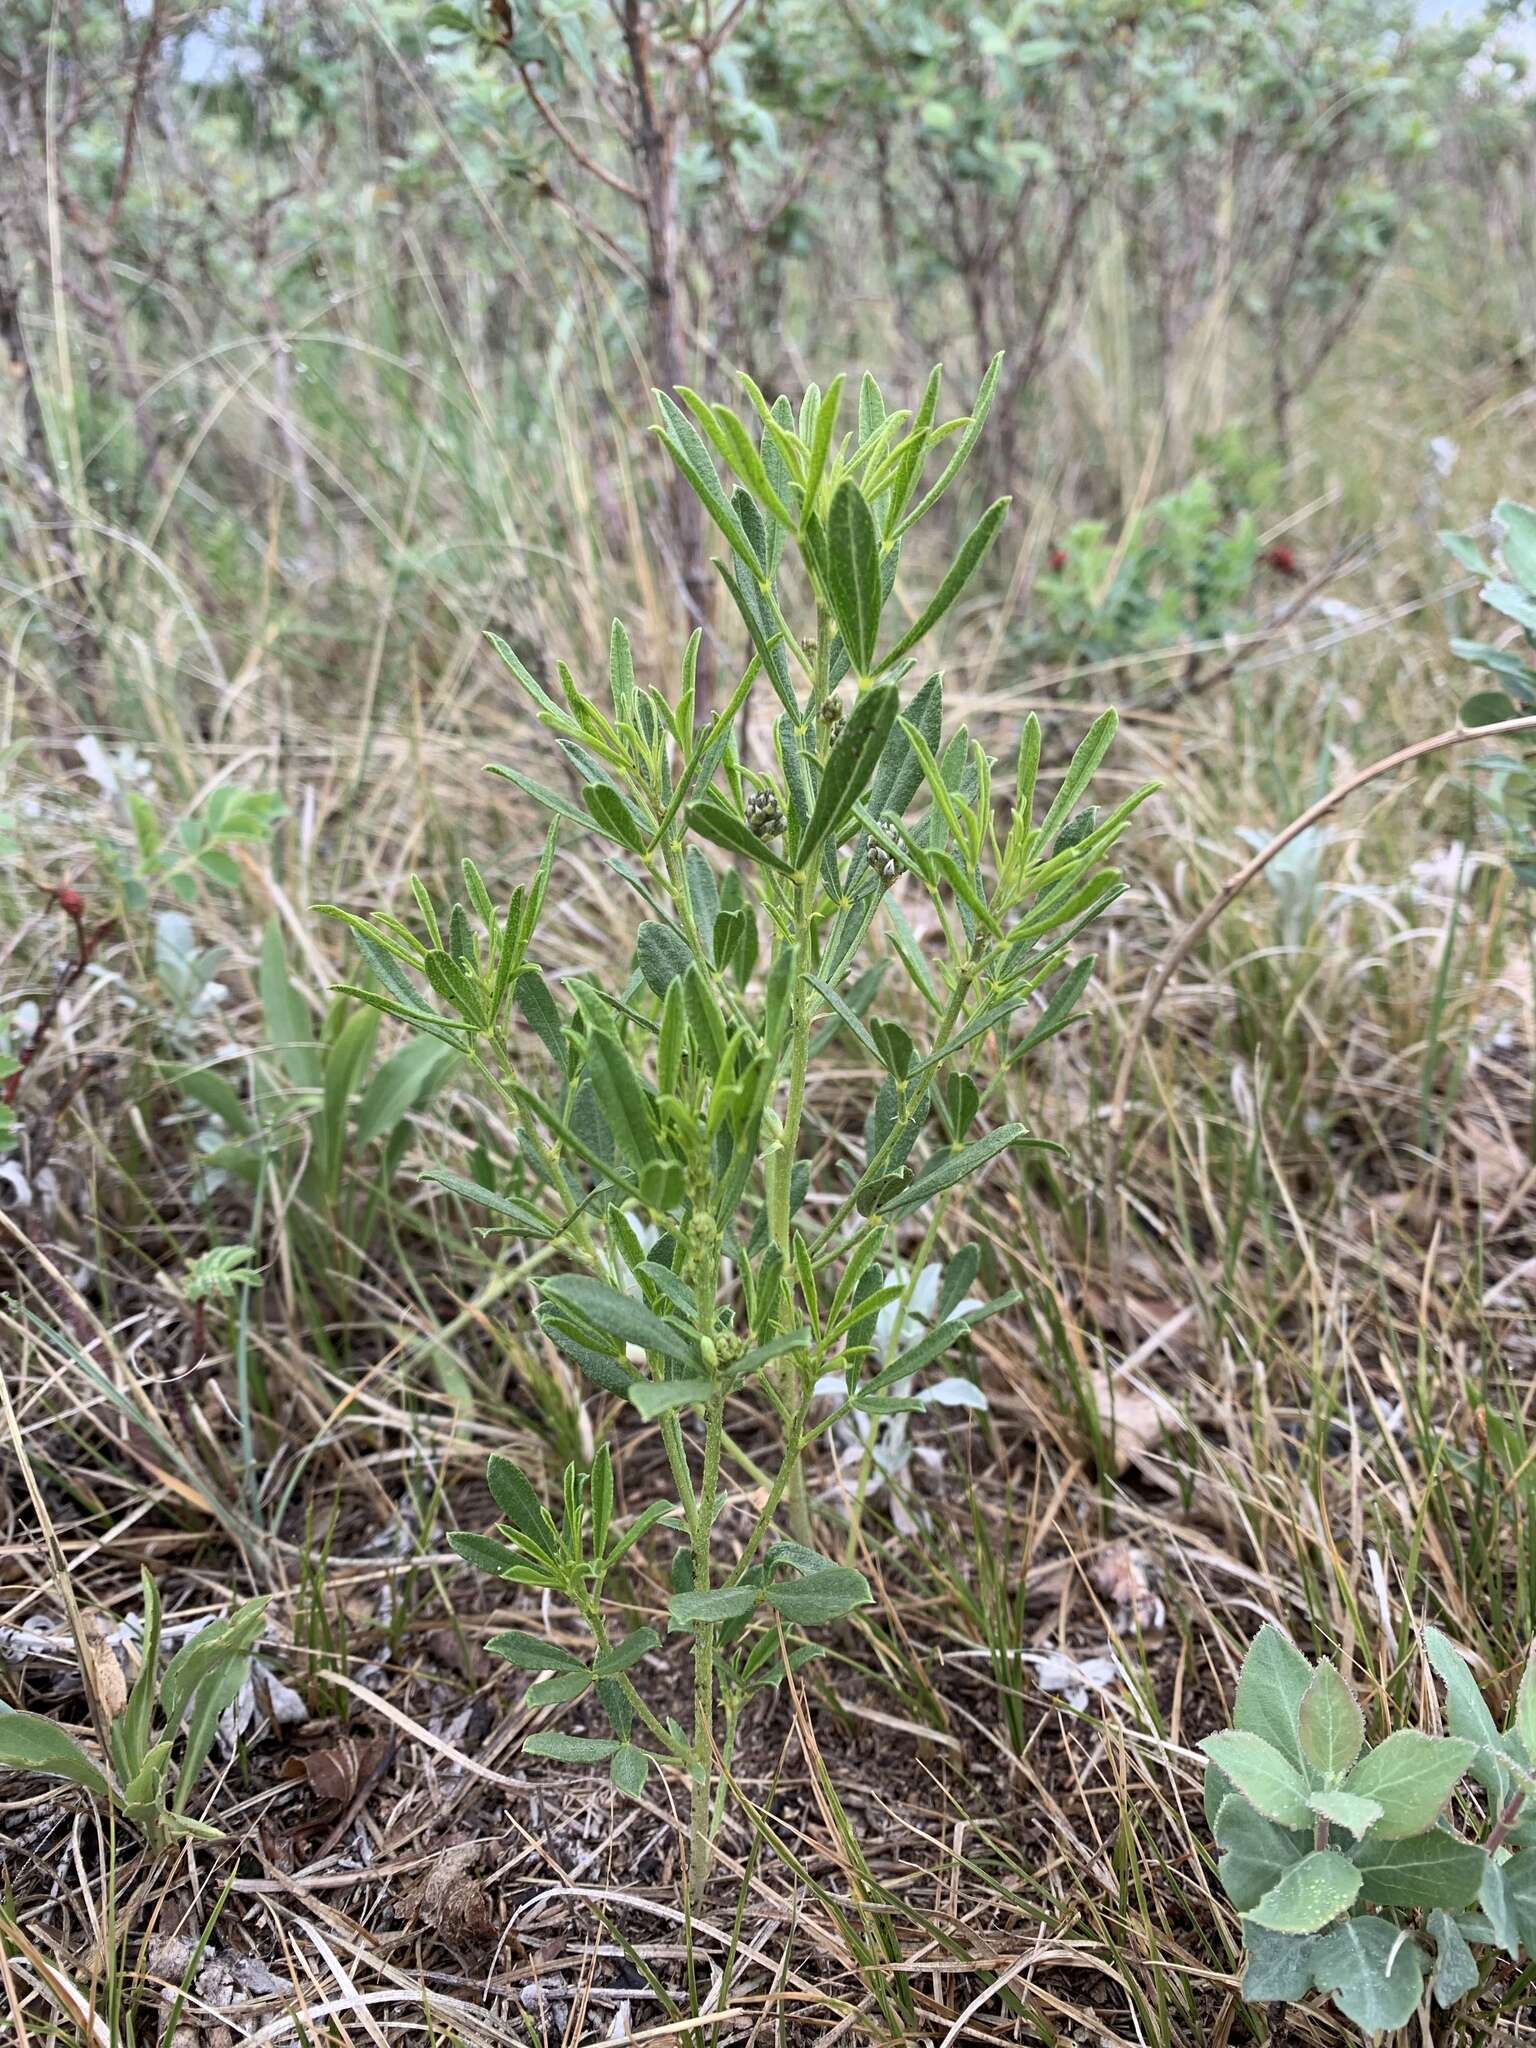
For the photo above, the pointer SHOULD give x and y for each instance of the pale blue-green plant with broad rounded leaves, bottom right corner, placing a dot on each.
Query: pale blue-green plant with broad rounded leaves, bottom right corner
(1347, 1861)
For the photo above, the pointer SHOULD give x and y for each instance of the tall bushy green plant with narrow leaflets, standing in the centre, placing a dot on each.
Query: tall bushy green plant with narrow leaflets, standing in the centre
(660, 1113)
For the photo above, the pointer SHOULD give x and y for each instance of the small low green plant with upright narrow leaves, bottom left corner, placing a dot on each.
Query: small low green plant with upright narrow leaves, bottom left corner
(146, 1779)
